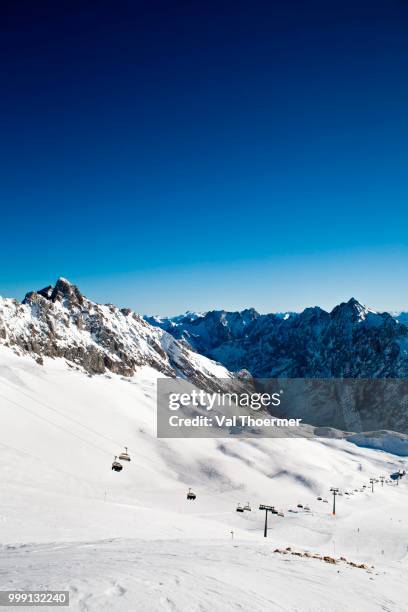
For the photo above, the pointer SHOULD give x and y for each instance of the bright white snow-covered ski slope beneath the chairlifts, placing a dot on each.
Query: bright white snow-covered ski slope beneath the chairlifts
(130, 541)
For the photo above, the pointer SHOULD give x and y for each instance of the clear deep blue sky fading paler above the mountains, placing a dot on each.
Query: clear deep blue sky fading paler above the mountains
(190, 155)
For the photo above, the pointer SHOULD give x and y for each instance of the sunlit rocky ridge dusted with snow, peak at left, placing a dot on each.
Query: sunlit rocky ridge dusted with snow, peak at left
(58, 321)
